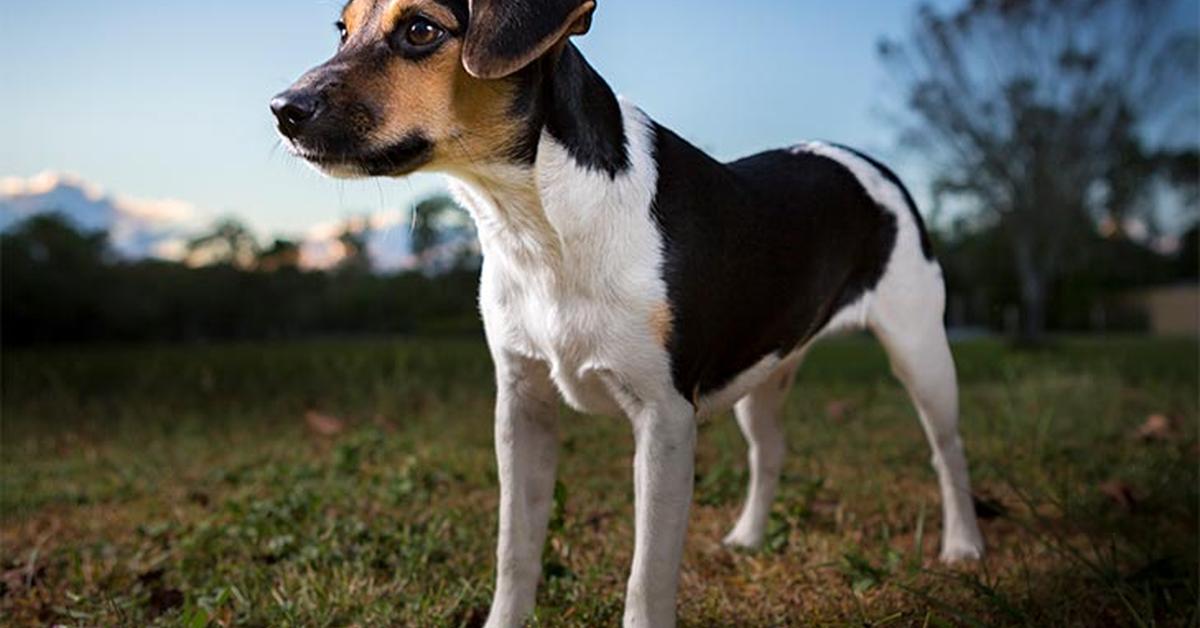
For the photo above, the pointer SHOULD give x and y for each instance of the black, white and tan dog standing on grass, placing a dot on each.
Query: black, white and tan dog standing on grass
(627, 272)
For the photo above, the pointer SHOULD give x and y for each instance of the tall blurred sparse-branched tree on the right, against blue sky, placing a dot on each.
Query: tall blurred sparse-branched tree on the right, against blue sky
(1045, 117)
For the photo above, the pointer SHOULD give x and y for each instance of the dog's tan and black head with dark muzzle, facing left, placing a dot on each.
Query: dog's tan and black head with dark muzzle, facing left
(425, 85)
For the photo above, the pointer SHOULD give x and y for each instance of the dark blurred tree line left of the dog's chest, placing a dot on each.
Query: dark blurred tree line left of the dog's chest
(62, 286)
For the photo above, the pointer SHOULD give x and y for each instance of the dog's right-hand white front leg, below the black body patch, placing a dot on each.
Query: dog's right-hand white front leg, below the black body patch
(665, 435)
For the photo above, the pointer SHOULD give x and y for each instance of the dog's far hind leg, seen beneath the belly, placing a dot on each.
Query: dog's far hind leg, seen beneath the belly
(759, 416)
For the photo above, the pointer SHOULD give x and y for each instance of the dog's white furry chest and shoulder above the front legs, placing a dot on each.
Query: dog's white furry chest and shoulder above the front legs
(572, 272)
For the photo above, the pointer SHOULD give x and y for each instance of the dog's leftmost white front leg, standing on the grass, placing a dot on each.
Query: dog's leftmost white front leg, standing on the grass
(526, 452)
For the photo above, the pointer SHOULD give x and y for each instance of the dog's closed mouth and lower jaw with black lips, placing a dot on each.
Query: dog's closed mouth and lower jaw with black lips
(397, 160)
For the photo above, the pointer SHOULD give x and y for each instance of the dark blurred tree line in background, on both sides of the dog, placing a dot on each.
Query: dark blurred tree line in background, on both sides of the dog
(62, 286)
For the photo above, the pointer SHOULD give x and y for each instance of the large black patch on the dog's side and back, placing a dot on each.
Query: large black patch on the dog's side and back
(760, 254)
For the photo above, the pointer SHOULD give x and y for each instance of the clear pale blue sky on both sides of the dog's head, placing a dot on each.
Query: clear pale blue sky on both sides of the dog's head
(169, 99)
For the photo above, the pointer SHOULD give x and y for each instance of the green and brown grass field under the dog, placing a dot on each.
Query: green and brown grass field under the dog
(353, 483)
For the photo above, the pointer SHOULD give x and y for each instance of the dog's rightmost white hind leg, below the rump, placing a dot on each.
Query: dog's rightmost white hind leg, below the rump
(908, 320)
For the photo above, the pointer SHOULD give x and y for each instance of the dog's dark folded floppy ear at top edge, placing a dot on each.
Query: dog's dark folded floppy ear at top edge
(507, 35)
